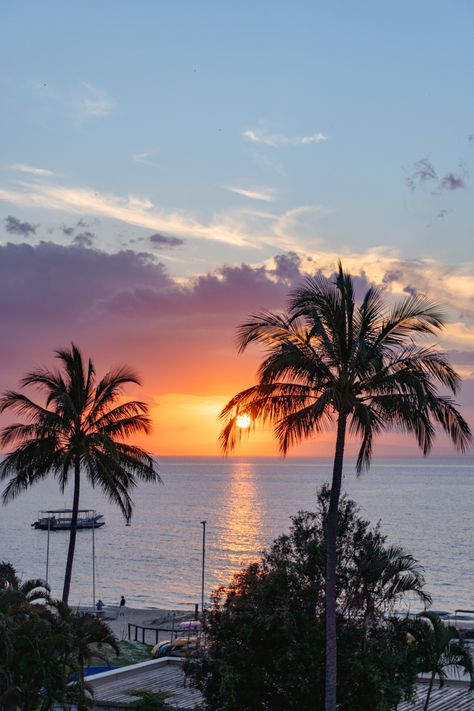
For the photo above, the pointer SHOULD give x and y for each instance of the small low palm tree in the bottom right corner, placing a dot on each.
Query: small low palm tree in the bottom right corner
(438, 648)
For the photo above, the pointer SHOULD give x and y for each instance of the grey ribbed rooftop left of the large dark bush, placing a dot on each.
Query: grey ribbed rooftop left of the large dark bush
(110, 688)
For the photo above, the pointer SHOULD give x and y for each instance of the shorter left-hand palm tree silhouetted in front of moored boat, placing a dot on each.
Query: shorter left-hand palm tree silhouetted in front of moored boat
(81, 427)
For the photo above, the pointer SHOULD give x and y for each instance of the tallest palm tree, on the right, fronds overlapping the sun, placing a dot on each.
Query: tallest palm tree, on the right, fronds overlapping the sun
(328, 361)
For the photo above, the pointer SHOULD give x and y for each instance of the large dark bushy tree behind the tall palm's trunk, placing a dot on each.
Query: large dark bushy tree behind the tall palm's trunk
(267, 627)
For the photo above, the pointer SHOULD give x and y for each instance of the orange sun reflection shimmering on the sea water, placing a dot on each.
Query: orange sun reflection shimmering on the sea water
(239, 526)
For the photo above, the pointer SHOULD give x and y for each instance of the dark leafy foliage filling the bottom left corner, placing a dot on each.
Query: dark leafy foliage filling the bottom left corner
(43, 644)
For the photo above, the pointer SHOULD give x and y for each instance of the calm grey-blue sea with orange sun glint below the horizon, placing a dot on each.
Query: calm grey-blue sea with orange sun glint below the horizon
(424, 505)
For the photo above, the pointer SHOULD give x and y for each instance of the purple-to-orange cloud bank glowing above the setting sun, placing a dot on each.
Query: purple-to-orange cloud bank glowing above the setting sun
(126, 308)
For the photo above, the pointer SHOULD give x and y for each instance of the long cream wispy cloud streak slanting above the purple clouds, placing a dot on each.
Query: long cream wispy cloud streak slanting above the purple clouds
(131, 209)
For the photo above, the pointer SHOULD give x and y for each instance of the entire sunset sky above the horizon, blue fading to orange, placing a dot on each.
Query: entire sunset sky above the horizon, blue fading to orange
(169, 167)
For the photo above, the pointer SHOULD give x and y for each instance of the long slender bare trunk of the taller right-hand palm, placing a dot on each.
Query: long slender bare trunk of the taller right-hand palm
(331, 539)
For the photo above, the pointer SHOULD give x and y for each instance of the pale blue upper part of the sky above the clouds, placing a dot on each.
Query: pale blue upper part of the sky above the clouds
(153, 99)
